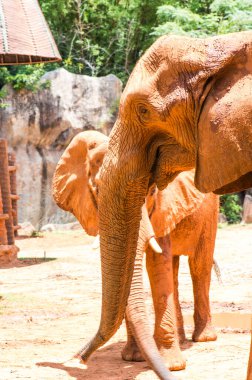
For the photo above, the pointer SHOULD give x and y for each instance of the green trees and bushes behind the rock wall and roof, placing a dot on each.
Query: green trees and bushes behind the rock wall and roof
(99, 37)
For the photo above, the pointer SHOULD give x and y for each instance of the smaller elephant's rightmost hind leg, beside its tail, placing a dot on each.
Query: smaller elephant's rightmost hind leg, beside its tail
(200, 267)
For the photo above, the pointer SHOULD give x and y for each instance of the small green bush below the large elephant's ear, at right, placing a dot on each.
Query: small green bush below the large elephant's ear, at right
(230, 207)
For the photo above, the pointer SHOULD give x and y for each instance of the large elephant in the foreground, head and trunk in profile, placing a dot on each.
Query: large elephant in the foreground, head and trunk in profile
(187, 104)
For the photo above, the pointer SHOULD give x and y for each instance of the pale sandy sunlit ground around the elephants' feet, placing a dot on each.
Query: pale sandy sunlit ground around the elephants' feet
(49, 308)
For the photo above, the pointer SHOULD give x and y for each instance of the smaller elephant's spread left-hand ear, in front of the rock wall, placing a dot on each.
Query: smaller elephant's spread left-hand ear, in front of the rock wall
(71, 188)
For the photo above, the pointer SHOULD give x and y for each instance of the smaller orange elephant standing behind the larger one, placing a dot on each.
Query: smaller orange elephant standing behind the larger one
(180, 216)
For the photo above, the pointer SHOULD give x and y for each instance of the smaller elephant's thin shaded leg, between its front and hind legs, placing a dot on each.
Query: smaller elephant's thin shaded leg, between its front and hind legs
(180, 321)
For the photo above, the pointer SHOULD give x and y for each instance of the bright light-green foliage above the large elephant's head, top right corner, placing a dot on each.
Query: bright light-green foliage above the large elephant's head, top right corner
(203, 18)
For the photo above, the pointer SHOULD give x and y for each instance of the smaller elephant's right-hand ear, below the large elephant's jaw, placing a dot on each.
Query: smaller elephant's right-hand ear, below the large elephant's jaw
(179, 200)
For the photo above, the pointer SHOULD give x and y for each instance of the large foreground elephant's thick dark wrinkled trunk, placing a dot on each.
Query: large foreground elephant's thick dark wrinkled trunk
(118, 241)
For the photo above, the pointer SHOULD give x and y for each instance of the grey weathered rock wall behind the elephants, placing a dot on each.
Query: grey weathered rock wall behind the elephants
(38, 126)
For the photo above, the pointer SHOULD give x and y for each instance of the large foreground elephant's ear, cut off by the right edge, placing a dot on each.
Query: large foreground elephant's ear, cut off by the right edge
(224, 136)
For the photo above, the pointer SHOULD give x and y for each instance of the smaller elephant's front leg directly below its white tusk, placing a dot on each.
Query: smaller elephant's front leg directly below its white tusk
(160, 273)
